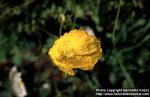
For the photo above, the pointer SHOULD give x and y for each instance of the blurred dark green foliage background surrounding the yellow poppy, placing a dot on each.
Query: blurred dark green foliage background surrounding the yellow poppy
(28, 28)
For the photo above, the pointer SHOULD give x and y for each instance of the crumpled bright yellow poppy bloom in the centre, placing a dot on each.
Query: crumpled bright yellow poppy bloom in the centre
(76, 49)
